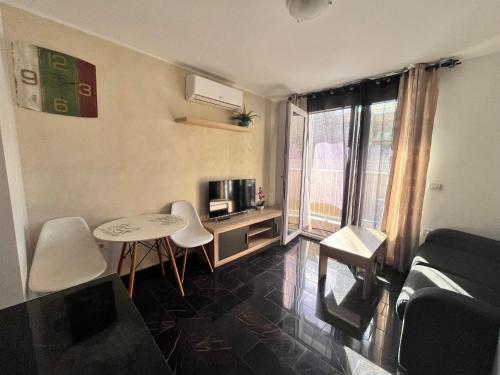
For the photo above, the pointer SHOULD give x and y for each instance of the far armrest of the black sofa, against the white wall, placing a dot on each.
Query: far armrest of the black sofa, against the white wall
(471, 243)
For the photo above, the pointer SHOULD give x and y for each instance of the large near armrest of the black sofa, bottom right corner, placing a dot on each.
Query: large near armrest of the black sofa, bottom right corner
(448, 333)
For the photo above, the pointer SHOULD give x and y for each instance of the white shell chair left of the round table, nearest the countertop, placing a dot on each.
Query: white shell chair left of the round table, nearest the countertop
(66, 255)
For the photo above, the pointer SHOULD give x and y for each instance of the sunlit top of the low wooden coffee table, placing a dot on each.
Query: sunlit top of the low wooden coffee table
(356, 241)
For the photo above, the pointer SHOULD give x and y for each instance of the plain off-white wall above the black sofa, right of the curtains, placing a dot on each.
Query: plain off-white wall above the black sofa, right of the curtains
(465, 155)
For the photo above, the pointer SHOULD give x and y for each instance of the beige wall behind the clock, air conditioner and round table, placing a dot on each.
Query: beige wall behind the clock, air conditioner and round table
(133, 158)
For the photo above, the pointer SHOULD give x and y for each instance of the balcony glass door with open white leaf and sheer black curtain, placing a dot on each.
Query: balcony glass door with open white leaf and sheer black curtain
(338, 160)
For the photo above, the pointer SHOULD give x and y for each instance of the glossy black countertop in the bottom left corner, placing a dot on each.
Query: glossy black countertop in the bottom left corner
(93, 328)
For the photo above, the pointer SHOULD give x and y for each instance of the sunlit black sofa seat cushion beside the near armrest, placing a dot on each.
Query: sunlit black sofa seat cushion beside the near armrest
(422, 276)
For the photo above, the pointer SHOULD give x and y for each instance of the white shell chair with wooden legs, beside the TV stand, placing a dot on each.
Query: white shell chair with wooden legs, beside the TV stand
(194, 235)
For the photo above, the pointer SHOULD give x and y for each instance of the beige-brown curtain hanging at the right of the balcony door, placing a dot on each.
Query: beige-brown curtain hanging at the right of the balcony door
(418, 92)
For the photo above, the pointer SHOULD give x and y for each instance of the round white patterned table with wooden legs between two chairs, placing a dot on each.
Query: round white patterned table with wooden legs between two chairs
(136, 230)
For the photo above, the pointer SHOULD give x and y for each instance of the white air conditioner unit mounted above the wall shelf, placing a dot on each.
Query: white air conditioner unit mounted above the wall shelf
(203, 90)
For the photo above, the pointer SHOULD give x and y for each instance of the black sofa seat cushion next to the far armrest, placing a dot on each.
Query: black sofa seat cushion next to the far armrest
(460, 263)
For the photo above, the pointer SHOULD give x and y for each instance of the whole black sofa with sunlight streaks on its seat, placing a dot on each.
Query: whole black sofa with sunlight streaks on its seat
(450, 306)
